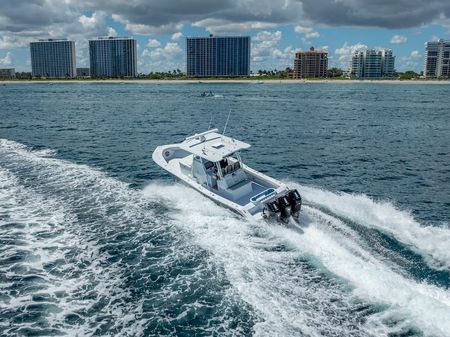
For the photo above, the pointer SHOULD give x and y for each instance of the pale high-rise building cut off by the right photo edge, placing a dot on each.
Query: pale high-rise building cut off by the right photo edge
(437, 59)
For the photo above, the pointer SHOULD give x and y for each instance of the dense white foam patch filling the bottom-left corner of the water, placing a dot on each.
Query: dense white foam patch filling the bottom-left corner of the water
(52, 276)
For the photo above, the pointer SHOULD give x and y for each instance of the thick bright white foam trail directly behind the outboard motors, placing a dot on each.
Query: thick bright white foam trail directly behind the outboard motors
(420, 304)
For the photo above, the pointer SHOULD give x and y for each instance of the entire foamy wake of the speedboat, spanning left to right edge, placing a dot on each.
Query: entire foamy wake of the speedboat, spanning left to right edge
(82, 253)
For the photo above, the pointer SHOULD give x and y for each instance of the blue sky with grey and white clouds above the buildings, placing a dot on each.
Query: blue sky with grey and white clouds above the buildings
(278, 27)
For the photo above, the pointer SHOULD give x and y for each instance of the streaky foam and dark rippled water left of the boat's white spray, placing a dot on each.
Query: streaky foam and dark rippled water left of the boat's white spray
(112, 266)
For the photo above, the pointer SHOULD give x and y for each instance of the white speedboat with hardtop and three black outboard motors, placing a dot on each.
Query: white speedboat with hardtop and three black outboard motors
(211, 163)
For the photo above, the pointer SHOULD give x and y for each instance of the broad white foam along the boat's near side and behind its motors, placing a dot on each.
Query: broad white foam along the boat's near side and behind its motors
(278, 286)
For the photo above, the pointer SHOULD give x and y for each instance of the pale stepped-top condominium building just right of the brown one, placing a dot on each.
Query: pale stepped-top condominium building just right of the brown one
(373, 63)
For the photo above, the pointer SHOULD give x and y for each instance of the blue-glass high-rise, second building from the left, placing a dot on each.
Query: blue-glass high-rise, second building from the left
(113, 57)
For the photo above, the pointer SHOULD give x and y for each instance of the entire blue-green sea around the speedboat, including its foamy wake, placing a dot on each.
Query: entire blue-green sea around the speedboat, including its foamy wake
(96, 240)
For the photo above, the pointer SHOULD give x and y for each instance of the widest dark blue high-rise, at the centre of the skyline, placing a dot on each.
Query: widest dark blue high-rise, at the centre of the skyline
(218, 56)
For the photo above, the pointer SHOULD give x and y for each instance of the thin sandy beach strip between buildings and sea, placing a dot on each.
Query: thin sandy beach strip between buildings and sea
(224, 81)
